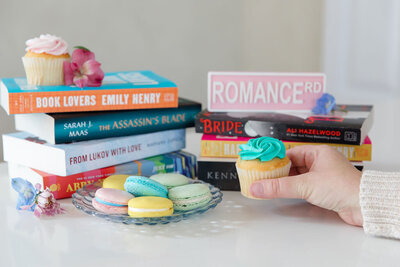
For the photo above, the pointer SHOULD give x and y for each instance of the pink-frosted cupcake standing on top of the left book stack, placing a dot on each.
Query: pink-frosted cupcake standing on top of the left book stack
(44, 59)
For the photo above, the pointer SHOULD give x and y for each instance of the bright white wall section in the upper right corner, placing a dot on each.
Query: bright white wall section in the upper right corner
(362, 46)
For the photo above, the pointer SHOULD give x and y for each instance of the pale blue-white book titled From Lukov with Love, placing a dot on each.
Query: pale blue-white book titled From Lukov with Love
(67, 159)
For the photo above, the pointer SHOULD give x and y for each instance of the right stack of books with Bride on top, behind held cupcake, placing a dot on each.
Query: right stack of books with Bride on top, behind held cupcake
(345, 129)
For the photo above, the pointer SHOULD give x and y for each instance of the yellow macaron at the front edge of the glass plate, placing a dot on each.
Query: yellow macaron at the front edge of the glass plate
(150, 207)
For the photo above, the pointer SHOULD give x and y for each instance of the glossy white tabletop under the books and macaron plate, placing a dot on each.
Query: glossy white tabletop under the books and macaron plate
(238, 232)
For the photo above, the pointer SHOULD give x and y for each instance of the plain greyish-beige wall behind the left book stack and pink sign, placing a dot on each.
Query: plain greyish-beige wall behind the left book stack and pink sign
(181, 40)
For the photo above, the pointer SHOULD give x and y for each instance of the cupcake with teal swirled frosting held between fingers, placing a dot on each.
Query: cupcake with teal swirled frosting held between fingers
(261, 158)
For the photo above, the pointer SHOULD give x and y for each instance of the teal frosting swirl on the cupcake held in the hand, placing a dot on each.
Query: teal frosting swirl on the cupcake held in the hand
(263, 148)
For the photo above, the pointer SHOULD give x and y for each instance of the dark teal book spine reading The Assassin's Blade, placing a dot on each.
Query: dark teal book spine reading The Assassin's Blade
(107, 125)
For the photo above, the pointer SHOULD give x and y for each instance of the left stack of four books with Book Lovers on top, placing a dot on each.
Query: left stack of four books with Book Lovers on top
(69, 137)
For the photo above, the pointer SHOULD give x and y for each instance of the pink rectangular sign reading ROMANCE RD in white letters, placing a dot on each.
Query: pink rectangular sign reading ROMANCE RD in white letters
(263, 91)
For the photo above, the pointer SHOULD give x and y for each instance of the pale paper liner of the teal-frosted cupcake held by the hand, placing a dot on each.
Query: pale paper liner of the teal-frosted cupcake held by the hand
(247, 177)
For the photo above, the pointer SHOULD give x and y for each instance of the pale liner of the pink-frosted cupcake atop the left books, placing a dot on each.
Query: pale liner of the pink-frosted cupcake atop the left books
(44, 71)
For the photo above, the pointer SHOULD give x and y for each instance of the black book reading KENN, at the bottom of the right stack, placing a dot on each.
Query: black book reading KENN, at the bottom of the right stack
(222, 172)
